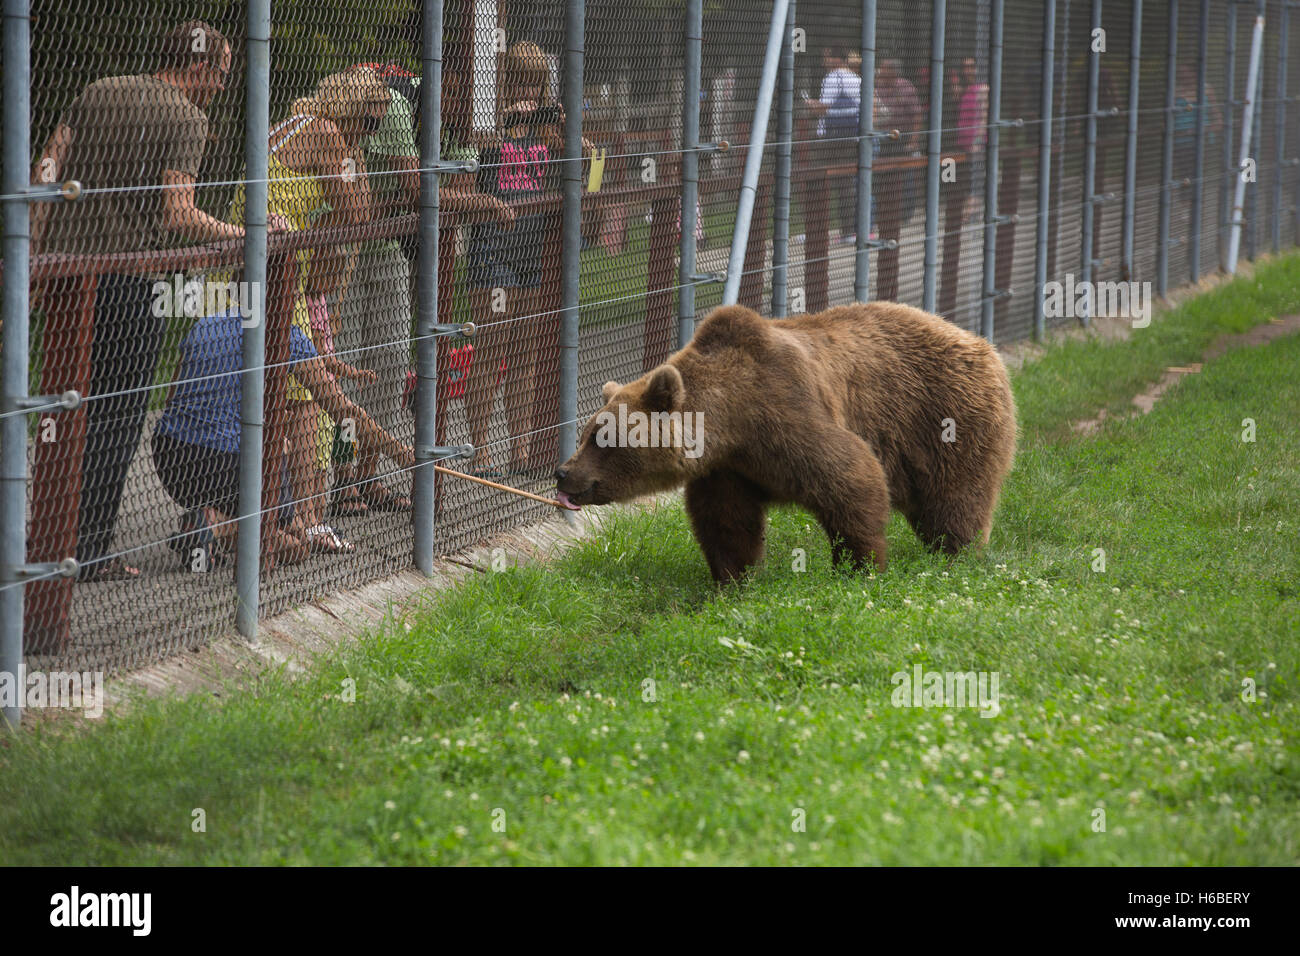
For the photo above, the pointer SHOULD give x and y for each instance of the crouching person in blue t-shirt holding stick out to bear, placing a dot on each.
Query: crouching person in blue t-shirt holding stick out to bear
(197, 443)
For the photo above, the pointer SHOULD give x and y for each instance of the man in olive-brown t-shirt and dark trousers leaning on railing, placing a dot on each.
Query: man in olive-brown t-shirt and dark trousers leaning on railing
(138, 141)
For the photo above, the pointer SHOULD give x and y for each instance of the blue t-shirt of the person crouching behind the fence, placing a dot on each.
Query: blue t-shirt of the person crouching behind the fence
(207, 400)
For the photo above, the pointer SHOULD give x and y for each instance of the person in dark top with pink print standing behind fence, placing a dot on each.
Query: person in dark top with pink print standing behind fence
(506, 263)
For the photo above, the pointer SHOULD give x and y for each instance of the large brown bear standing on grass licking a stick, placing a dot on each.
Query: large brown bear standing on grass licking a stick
(847, 413)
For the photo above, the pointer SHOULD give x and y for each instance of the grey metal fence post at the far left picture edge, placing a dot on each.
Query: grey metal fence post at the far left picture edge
(14, 374)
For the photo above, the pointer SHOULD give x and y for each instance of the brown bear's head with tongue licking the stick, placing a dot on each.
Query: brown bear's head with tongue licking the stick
(644, 440)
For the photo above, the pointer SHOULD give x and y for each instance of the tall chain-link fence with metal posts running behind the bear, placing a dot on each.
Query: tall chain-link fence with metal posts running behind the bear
(284, 261)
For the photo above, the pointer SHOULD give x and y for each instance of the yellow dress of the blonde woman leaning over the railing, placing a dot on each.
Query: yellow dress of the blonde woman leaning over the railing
(297, 197)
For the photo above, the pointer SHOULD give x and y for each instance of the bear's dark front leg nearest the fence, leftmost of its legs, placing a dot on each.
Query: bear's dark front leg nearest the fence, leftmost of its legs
(727, 516)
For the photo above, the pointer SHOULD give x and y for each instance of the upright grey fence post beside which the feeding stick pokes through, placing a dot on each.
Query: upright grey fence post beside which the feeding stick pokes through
(424, 479)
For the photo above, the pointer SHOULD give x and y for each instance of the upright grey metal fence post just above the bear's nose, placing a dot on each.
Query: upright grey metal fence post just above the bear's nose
(575, 42)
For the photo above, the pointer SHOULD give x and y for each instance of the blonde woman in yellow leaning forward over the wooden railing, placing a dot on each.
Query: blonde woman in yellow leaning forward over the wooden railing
(318, 179)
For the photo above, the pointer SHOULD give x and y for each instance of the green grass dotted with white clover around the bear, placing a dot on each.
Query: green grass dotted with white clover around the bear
(522, 697)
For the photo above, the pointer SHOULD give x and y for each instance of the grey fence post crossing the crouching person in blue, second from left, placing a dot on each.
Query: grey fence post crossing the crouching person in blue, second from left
(254, 380)
